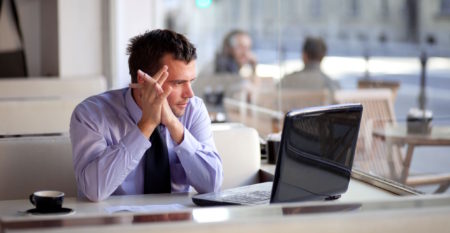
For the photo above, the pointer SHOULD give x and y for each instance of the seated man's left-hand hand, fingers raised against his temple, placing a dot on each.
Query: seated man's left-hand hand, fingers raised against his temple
(151, 98)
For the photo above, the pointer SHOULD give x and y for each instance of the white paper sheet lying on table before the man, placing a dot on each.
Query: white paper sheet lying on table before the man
(144, 208)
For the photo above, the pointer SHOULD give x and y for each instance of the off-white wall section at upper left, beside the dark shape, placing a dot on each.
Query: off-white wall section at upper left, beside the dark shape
(80, 38)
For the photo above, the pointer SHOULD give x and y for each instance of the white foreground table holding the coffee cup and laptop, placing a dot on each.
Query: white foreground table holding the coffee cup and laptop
(93, 214)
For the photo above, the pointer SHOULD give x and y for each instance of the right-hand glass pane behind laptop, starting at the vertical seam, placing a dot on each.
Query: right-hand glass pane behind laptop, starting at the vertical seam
(348, 55)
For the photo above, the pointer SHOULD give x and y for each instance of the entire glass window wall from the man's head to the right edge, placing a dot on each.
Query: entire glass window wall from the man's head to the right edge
(298, 53)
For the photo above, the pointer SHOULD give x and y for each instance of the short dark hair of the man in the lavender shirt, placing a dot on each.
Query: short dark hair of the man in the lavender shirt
(147, 50)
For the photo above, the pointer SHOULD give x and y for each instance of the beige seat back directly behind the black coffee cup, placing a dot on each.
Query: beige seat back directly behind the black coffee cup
(28, 164)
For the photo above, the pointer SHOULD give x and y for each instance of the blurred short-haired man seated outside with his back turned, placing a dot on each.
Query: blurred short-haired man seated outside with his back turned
(311, 77)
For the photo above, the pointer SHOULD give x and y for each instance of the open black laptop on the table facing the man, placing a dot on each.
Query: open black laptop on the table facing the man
(315, 159)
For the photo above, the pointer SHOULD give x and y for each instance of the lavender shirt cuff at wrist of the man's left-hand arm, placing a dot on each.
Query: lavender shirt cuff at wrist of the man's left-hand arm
(136, 143)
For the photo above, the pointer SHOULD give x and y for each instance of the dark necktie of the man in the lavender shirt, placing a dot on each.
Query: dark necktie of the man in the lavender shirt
(156, 166)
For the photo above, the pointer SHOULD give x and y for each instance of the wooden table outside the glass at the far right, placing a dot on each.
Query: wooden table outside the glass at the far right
(397, 135)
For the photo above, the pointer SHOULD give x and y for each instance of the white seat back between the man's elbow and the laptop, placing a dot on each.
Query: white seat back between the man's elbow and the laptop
(239, 149)
